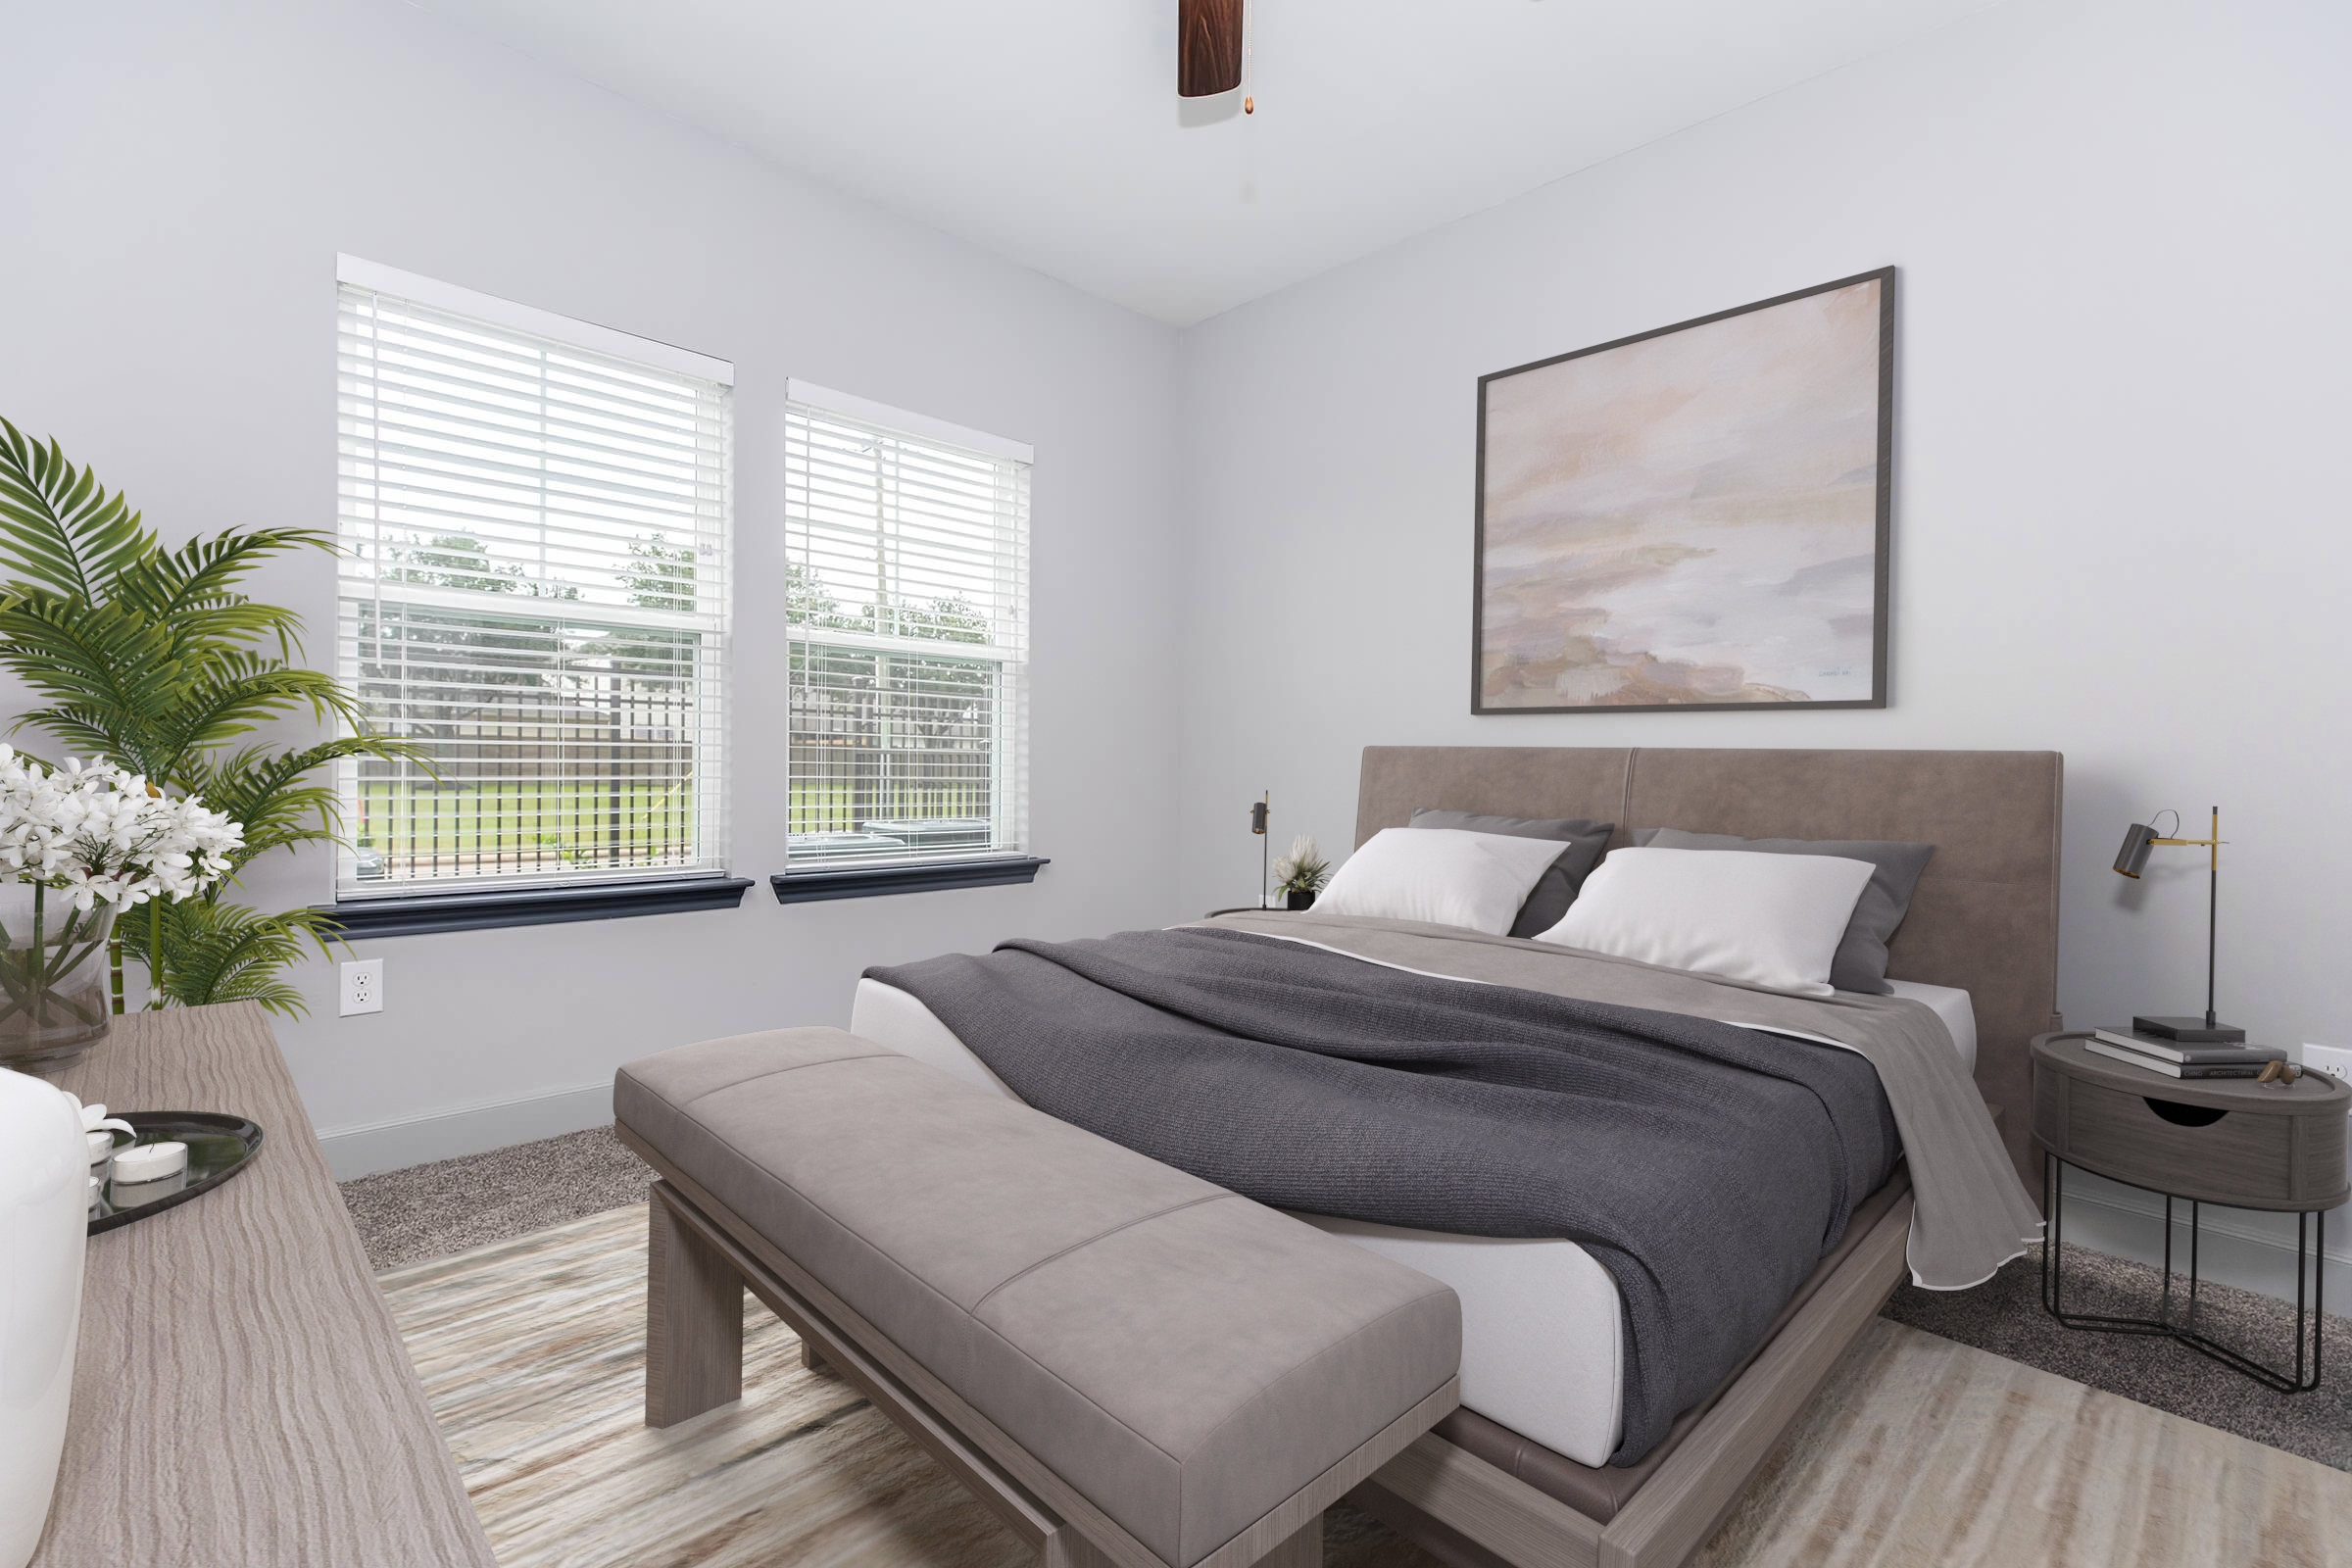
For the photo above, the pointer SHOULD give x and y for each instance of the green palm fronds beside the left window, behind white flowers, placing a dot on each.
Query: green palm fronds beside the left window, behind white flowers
(161, 666)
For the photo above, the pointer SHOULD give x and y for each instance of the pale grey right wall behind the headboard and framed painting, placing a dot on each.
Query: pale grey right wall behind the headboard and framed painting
(2120, 462)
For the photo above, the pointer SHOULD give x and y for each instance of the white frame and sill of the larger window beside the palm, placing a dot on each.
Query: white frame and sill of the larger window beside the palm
(457, 904)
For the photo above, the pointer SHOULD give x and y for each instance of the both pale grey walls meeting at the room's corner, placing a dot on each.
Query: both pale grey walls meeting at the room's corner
(2118, 516)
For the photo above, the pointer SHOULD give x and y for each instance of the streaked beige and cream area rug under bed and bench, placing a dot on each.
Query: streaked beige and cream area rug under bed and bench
(1918, 1452)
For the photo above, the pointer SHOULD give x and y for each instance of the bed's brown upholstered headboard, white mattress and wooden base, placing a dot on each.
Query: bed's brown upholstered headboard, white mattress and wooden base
(1523, 1473)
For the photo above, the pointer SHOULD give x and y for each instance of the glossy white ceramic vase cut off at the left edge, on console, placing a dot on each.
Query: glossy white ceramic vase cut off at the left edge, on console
(44, 1233)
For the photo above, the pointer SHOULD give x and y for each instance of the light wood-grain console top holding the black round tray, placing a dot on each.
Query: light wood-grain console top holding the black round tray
(241, 1393)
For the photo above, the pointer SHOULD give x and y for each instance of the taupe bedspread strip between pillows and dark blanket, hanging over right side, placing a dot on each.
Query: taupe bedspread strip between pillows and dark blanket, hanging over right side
(1972, 1212)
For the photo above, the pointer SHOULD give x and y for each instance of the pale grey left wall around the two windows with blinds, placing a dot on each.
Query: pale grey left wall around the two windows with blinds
(178, 182)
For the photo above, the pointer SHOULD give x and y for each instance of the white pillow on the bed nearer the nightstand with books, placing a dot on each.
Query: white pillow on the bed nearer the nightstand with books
(1742, 916)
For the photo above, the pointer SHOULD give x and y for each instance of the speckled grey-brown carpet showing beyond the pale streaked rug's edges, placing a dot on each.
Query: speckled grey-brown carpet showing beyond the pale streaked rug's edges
(432, 1212)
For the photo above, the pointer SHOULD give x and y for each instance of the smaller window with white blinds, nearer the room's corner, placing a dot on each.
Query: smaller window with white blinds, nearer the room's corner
(907, 598)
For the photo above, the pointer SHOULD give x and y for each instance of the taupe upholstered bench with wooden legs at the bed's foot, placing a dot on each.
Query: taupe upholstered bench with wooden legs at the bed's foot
(1128, 1362)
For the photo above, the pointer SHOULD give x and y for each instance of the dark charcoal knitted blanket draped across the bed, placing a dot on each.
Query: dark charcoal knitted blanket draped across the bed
(1704, 1165)
